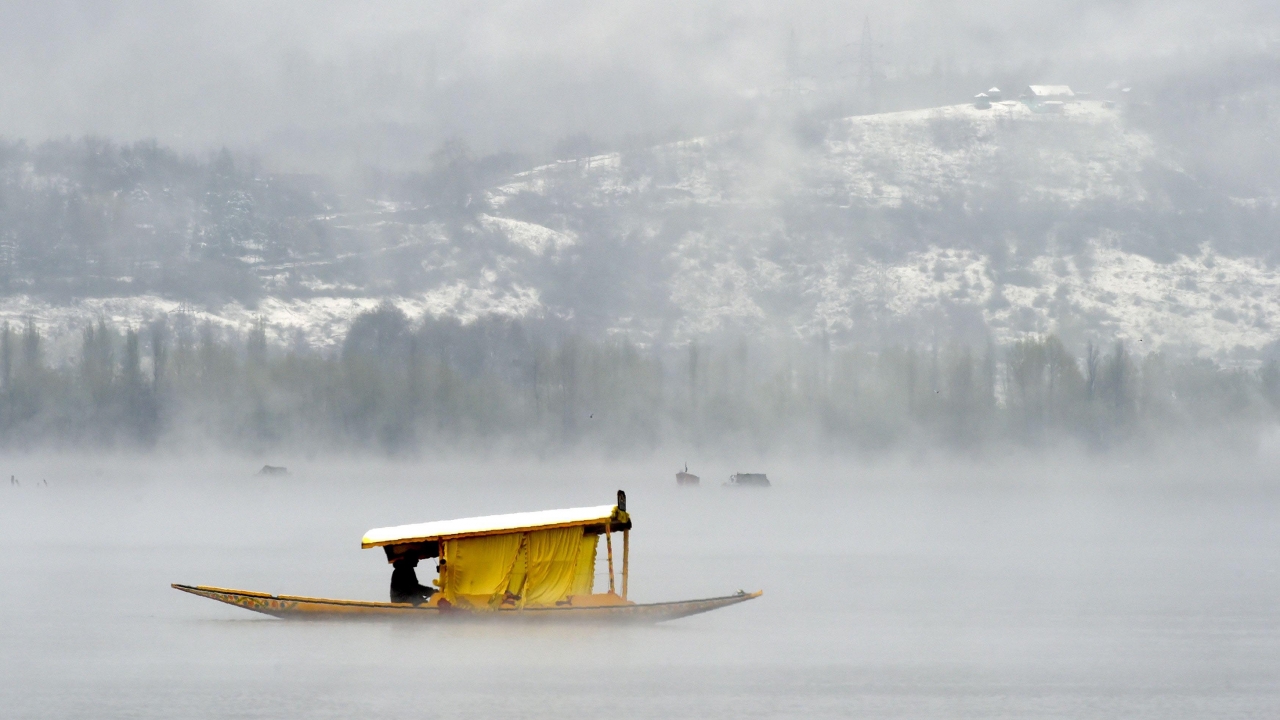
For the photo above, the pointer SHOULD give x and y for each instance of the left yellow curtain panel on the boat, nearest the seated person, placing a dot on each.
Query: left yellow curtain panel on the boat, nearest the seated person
(477, 571)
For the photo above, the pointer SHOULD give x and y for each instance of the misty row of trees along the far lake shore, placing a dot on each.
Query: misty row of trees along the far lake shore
(405, 388)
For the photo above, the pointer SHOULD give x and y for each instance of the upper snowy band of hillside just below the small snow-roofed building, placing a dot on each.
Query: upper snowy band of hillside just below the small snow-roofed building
(884, 161)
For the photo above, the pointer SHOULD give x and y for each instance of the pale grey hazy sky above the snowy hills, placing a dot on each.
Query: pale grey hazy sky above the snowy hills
(290, 79)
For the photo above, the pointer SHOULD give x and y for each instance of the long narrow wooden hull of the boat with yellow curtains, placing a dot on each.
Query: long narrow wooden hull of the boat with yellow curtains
(289, 607)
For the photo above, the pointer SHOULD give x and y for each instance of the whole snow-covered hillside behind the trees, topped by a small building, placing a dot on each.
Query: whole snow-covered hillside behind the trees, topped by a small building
(918, 225)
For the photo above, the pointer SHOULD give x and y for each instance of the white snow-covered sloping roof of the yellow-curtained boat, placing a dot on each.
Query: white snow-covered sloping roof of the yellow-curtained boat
(493, 525)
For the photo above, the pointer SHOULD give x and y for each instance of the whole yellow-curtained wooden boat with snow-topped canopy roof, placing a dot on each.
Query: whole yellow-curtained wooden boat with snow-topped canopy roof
(525, 566)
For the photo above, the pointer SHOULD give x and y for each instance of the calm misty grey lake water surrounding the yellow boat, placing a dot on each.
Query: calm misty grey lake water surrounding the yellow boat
(890, 593)
